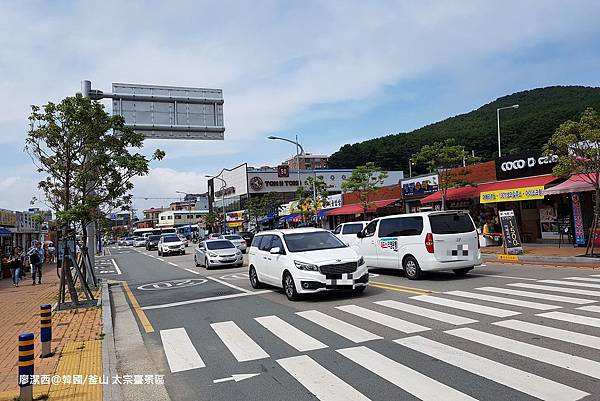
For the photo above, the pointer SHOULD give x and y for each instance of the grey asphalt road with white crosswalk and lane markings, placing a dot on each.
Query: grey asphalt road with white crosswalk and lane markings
(501, 333)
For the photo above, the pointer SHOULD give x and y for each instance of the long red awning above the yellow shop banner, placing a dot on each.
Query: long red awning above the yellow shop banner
(473, 192)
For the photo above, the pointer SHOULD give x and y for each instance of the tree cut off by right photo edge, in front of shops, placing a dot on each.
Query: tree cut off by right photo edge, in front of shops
(577, 145)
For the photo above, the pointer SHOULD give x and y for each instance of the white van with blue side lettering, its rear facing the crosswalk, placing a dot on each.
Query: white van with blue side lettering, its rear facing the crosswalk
(418, 242)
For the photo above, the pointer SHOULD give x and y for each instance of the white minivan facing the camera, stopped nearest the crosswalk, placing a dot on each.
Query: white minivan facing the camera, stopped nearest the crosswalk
(305, 260)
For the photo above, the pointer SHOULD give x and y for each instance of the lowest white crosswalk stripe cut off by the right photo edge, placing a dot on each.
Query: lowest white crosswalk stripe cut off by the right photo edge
(562, 360)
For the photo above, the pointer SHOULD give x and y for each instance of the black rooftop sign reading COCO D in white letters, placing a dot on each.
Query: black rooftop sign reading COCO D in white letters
(524, 165)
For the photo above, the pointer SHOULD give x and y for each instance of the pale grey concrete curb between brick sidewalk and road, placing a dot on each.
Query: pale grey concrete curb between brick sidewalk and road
(109, 353)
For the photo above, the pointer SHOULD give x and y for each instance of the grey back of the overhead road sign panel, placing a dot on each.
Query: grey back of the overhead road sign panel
(169, 112)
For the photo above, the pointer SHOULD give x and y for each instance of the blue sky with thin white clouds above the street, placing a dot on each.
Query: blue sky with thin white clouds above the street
(334, 72)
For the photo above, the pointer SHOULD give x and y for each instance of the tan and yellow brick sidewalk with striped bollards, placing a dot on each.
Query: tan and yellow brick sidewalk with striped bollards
(76, 339)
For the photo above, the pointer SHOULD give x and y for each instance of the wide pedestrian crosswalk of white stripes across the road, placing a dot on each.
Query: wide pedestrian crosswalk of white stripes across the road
(473, 333)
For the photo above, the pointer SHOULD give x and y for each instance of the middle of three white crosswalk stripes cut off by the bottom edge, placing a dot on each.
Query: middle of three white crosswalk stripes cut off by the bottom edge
(409, 380)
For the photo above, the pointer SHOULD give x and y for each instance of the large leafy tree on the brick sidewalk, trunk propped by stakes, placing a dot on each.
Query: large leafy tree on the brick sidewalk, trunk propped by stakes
(85, 155)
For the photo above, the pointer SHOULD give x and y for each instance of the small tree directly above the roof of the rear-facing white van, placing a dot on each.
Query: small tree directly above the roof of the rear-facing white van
(443, 158)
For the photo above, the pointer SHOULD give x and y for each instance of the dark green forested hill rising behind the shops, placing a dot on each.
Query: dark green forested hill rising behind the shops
(540, 112)
